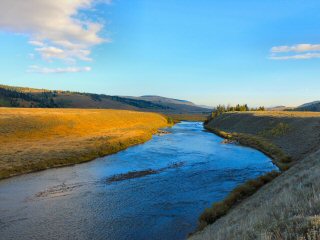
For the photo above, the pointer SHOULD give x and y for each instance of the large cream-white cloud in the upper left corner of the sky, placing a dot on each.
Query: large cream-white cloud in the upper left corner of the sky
(56, 29)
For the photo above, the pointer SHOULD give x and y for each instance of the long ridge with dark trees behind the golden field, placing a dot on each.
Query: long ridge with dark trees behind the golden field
(42, 98)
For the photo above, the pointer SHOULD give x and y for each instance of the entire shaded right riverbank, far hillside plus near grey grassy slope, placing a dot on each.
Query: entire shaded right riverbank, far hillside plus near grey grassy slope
(287, 207)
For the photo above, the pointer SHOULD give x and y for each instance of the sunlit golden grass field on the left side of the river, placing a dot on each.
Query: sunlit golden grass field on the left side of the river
(37, 139)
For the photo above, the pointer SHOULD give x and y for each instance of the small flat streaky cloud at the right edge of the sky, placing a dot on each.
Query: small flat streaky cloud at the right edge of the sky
(298, 52)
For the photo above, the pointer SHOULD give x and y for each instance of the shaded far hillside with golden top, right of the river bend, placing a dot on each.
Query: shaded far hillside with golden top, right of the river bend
(295, 133)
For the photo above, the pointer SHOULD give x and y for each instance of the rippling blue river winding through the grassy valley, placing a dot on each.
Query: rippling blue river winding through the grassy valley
(190, 170)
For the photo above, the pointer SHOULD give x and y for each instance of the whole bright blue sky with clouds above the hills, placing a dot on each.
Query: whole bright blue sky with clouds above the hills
(210, 52)
